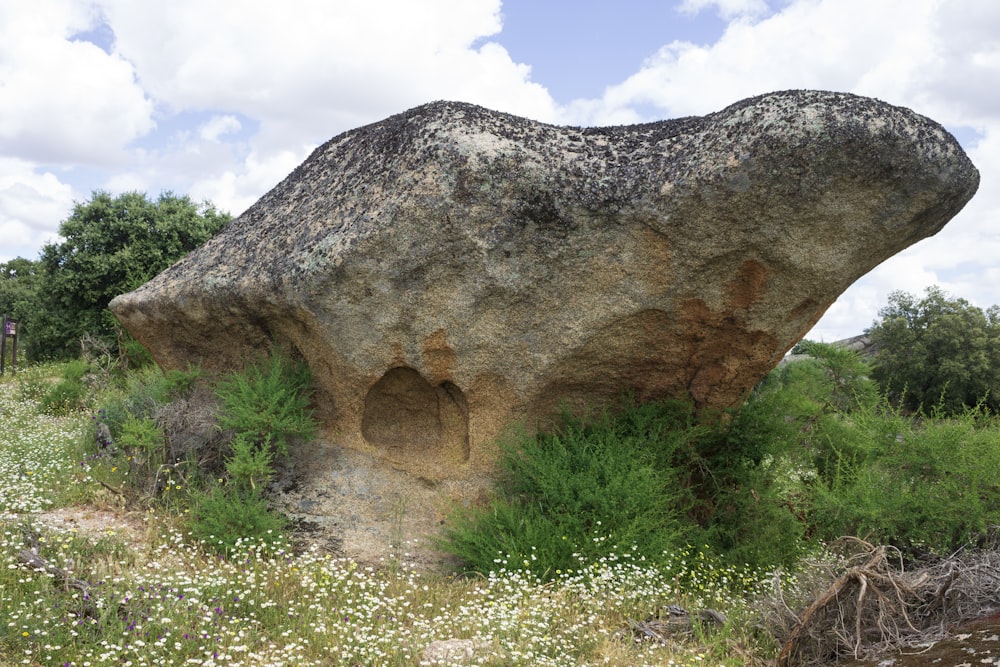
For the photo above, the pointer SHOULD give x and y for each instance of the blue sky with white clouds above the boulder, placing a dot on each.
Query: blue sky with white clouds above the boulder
(221, 99)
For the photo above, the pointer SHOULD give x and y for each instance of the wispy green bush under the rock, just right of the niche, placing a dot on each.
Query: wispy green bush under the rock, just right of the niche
(571, 496)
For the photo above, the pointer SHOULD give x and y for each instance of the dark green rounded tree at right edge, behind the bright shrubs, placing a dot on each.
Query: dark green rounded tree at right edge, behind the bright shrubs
(937, 352)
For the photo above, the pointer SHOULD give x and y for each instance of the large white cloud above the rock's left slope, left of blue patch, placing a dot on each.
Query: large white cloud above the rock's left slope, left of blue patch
(303, 71)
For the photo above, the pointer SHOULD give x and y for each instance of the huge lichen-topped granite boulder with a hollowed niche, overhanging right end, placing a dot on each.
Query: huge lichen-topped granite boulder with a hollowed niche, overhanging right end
(452, 269)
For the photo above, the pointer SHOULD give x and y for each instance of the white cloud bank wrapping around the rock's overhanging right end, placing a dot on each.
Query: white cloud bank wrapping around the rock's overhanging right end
(940, 58)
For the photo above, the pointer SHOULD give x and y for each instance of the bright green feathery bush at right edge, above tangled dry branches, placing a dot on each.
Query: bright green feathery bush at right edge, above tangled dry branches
(924, 486)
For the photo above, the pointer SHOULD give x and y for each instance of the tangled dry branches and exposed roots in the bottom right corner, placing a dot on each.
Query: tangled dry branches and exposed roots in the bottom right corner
(867, 603)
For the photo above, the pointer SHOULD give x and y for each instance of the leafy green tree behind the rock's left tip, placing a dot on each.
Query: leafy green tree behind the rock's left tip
(111, 246)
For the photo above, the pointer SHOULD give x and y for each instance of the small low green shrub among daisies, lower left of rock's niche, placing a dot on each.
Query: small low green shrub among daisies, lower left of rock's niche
(224, 516)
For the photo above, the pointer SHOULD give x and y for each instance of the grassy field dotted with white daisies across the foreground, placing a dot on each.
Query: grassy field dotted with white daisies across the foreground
(156, 596)
